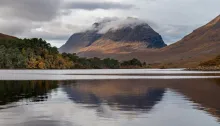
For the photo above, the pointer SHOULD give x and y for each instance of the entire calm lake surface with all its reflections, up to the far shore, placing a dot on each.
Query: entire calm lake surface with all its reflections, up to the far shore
(113, 98)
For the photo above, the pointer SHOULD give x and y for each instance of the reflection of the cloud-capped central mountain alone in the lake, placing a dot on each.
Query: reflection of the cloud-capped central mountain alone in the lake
(123, 95)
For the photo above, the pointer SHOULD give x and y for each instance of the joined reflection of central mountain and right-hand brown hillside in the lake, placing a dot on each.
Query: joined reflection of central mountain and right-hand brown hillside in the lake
(133, 95)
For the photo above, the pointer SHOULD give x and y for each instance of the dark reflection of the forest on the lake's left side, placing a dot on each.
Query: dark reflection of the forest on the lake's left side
(35, 91)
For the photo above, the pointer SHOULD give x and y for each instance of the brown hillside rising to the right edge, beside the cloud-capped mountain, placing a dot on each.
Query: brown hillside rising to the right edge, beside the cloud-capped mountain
(201, 45)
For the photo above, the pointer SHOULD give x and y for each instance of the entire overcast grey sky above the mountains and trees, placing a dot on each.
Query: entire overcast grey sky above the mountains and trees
(56, 20)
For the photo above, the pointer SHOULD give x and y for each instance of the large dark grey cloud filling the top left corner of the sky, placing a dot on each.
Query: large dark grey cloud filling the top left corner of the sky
(34, 10)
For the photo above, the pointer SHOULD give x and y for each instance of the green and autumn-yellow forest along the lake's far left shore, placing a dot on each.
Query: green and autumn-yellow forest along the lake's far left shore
(38, 54)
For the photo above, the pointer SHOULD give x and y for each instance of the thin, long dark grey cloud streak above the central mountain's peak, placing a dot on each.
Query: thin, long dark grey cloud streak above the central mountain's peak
(96, 5)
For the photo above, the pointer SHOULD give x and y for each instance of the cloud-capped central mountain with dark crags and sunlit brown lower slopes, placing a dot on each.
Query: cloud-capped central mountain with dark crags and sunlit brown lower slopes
(114, 36)
